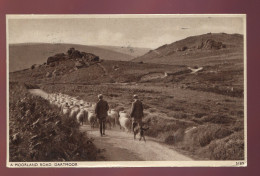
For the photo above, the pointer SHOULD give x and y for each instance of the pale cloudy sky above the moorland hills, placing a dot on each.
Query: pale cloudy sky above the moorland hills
(136, 31)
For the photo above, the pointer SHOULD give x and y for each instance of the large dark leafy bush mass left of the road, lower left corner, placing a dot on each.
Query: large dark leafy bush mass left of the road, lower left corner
(38, 132)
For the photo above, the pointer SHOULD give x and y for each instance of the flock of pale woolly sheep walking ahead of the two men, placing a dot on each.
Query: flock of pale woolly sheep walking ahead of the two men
(85, 111)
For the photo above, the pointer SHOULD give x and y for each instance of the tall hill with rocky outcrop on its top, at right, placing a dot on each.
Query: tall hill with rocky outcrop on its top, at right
(206, 49)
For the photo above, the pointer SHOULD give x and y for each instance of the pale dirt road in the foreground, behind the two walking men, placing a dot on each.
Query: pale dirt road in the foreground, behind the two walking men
(118, 145)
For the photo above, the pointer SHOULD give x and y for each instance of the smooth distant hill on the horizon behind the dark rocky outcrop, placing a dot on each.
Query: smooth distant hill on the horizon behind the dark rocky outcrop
(22, 56)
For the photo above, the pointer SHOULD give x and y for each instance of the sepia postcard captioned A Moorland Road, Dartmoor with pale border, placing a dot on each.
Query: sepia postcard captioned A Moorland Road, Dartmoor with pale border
(126, 90)
